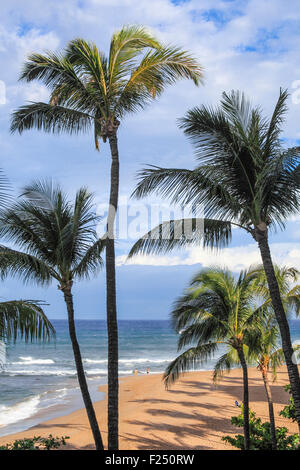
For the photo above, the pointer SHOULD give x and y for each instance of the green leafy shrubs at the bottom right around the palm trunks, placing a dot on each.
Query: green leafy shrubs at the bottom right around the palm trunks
(260, 435)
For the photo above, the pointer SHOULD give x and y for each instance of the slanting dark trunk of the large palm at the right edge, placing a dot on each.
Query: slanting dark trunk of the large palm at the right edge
(287, 348)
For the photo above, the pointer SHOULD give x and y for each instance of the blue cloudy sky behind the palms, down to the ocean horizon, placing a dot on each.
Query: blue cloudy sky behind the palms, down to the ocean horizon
(250, 45)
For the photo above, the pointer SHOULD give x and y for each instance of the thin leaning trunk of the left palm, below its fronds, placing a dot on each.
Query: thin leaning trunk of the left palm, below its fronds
(80, 371)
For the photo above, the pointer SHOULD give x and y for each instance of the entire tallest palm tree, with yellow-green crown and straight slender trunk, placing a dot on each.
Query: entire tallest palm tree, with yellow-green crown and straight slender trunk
(90, 89)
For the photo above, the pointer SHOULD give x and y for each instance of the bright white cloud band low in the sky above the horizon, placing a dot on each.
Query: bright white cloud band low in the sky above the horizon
(234, 258)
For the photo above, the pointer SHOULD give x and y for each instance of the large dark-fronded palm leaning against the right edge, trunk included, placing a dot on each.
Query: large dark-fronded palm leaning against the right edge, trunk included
(243, 178)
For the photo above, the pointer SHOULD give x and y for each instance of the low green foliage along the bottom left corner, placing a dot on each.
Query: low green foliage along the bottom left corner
(36, 443)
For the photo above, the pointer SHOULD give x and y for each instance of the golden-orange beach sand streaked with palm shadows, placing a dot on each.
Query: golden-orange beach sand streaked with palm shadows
(193, 414)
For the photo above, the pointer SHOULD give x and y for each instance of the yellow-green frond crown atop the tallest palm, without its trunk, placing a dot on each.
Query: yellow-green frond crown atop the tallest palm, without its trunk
(91, 90)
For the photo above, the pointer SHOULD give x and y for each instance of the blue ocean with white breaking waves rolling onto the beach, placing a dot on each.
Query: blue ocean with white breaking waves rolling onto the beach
(39, 380)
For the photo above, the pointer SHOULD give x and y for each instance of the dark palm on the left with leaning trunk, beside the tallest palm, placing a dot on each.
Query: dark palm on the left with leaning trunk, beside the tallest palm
(57, 241)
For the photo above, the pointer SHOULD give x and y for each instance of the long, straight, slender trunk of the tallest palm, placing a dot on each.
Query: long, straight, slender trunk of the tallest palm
(111, 303)
